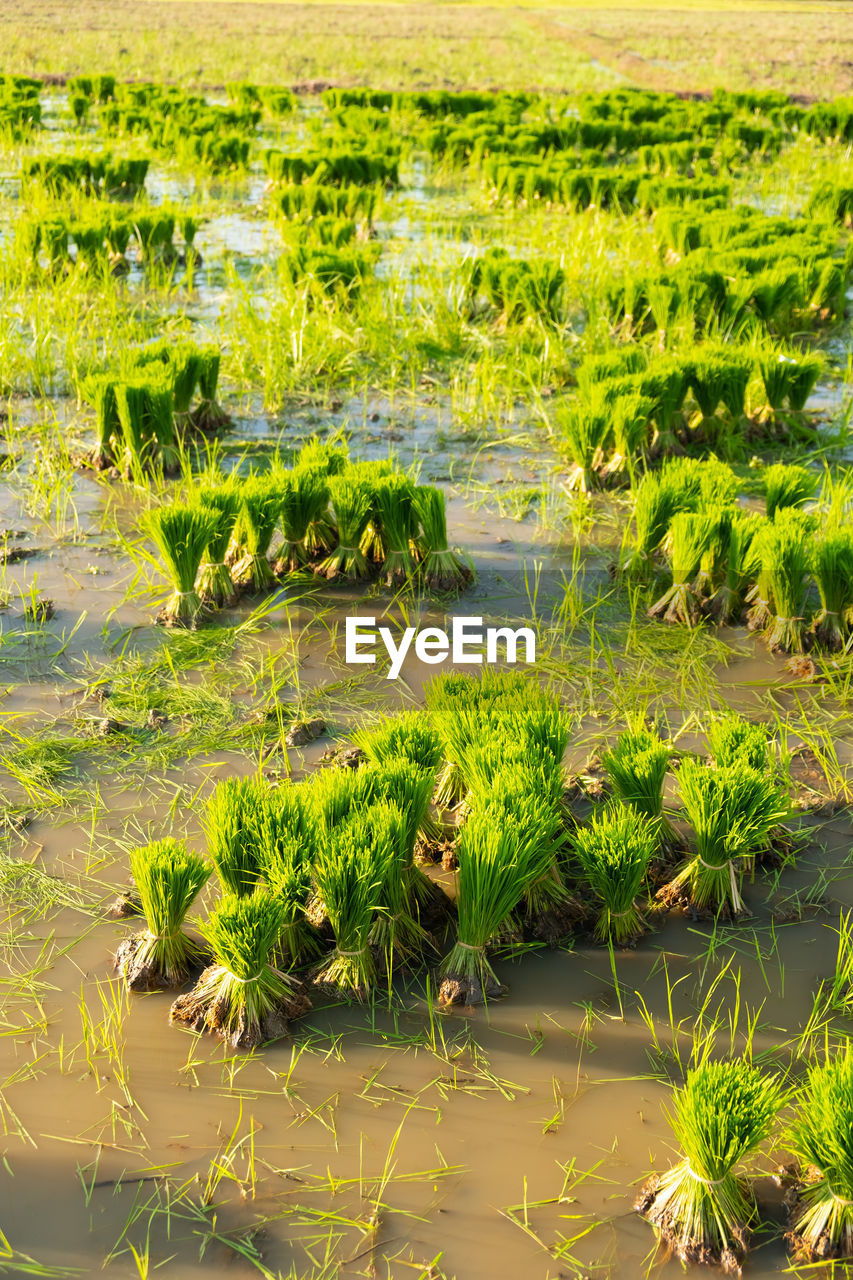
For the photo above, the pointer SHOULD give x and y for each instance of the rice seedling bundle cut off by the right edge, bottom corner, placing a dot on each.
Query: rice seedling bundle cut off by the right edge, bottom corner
(822, 1139)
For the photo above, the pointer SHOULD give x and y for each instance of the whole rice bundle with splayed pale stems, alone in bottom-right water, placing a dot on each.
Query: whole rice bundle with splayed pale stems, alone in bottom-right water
(703, 1209)
